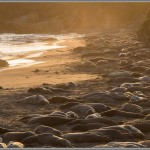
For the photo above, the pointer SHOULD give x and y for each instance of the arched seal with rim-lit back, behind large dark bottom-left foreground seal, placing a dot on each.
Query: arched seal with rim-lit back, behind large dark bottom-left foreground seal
(46, 129)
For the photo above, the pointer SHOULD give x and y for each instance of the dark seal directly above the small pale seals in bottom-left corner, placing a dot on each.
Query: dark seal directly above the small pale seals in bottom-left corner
(16, 136)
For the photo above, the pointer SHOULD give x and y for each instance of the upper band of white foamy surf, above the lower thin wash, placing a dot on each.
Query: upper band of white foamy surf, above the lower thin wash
(12, 44)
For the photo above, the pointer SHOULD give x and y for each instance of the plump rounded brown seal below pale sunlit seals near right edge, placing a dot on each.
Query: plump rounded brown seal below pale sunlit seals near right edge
(128, 107)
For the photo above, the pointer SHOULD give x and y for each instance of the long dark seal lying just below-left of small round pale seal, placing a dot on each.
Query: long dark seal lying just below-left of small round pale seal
(51, 120)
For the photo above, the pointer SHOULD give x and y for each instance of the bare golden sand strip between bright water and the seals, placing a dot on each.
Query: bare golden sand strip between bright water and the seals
(51, 69)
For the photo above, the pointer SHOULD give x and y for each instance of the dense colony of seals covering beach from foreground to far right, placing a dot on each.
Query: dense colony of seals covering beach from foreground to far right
(111, 110)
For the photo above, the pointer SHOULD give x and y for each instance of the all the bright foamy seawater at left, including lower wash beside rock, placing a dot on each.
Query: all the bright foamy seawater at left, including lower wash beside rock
(20, 49)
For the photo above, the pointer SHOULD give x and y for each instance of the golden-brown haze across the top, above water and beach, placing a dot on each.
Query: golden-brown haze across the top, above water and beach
(67, 17)
